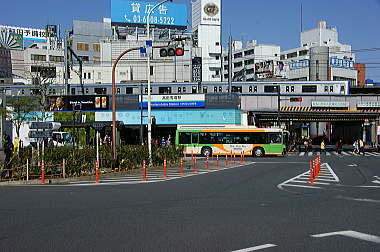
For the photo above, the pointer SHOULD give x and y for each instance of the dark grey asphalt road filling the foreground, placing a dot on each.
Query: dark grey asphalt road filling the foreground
(227, 210)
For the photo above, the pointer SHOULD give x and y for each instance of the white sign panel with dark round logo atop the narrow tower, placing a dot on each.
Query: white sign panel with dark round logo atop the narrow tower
(210, 12)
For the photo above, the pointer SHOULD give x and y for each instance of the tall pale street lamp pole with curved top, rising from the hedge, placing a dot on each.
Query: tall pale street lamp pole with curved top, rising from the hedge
(148, 72)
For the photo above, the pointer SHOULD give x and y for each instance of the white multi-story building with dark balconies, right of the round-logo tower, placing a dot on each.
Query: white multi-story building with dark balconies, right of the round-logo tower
(245, 60)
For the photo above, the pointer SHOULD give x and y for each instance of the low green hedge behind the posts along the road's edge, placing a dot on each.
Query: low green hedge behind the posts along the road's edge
(81, 161)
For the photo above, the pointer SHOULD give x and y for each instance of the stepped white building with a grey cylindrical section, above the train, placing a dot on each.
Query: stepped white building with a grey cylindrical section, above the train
(321, 57)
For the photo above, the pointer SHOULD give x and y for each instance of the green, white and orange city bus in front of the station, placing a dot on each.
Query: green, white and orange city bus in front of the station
(210, 140)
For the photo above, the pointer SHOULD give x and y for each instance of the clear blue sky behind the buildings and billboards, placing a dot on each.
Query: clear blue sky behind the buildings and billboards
(269, 22)
